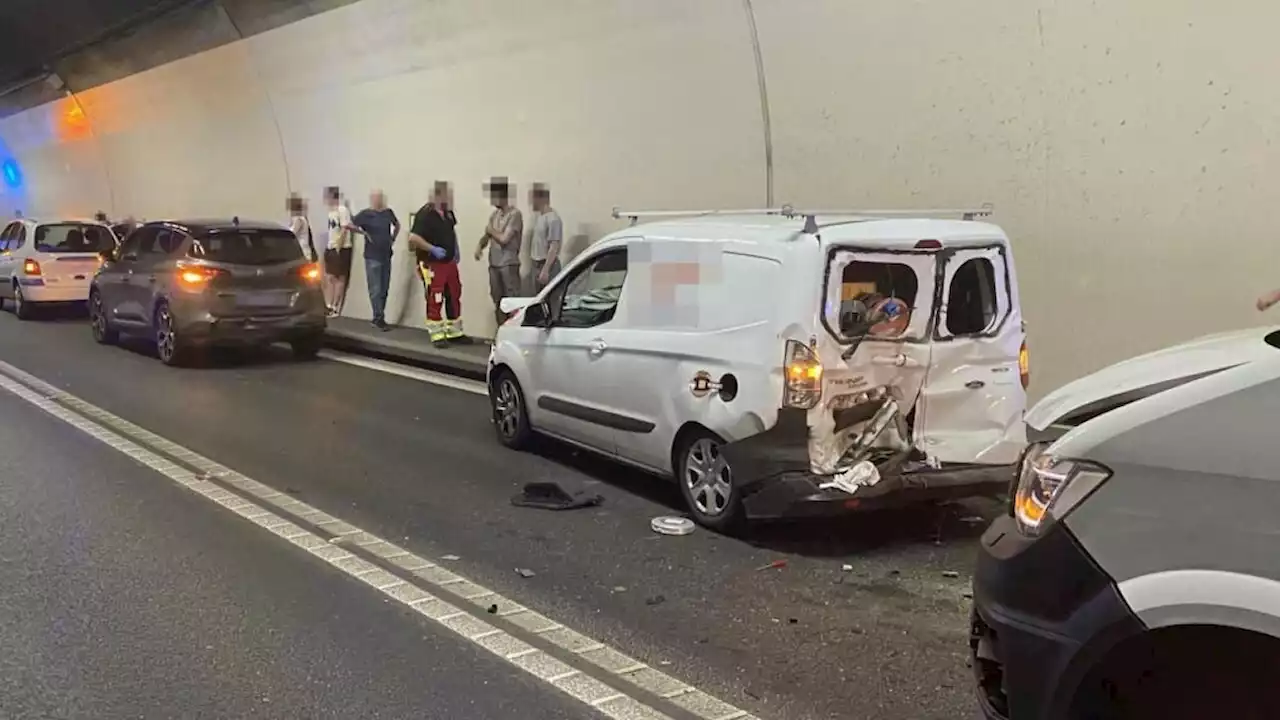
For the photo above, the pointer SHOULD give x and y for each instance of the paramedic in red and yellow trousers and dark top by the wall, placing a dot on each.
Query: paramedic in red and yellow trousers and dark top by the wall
(436, 243)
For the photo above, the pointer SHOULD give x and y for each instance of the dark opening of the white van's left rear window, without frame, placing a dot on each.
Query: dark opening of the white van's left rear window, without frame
(866, 288)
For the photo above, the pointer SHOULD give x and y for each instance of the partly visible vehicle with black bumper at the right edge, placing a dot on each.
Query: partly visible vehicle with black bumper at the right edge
(1137, 572)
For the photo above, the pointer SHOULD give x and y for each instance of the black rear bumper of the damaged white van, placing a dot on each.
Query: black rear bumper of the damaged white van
(772, 472)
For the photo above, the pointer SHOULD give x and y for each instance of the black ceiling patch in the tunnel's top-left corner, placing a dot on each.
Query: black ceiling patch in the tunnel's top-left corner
(40, 31)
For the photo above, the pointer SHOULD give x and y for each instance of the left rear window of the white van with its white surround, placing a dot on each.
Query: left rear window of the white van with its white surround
(880, 295)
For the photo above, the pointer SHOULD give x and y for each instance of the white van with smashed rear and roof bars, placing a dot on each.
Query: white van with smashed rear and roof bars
(776, 362)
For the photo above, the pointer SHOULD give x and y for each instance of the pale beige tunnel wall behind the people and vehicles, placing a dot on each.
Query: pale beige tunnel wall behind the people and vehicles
(1124, 145)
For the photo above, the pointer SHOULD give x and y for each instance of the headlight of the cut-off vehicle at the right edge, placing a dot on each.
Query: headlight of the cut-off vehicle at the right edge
(1049, 487)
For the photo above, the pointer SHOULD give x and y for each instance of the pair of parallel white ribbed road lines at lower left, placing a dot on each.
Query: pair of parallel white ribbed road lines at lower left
(106, 427)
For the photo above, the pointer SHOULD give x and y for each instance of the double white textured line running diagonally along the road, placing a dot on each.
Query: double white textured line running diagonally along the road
(116, 431)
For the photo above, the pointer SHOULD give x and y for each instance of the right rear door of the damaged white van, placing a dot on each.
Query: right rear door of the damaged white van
(973, 400)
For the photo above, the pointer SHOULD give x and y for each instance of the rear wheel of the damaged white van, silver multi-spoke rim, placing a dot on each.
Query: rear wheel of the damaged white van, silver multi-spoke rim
(707, 482)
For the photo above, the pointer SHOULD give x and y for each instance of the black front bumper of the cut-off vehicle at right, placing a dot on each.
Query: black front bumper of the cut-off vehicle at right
(1044, 616)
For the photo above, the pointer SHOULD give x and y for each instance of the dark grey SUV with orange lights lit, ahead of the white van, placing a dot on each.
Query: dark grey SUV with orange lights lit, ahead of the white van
(200, 284)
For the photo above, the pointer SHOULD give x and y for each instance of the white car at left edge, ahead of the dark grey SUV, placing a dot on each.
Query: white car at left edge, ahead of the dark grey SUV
(49, 262)
